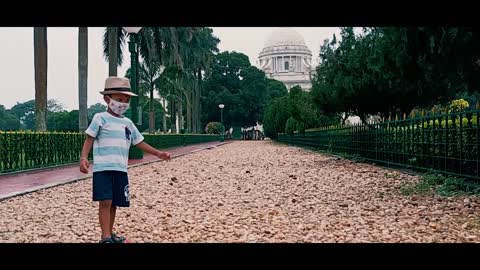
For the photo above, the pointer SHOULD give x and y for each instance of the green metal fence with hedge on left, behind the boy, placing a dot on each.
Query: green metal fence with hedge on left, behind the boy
(32, 150)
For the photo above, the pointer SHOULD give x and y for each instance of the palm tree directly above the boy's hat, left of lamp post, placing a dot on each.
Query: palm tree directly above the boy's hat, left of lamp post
(113, 41)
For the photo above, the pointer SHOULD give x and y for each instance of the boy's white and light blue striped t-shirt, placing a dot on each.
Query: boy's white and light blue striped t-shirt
(113, 137)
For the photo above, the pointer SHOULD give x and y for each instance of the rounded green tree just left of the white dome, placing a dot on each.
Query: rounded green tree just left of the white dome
(243, 88)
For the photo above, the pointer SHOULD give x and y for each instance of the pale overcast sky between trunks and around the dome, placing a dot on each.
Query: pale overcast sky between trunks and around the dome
(17, 70)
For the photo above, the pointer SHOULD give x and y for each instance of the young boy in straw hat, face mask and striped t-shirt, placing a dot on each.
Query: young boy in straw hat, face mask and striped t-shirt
(111, 135)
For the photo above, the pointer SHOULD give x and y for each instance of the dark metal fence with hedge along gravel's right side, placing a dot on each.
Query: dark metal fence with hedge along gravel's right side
(446, 143)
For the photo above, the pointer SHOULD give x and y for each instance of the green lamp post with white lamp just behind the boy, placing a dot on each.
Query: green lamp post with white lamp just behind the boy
(132, 47)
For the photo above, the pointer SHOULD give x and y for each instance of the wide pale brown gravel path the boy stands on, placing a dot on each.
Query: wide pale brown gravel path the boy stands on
(249, 191)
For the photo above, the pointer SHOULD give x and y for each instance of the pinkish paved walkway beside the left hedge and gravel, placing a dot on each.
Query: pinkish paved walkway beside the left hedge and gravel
(21, 183)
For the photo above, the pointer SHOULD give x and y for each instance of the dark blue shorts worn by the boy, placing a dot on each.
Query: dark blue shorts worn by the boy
(111, 185)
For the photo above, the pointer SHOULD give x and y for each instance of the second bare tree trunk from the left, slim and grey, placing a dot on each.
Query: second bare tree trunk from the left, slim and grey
(82, 77)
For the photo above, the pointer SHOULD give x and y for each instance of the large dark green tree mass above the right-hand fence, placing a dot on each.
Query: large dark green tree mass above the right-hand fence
(395, 69)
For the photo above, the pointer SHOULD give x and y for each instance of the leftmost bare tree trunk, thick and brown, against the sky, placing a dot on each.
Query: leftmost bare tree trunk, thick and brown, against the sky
(41, 66)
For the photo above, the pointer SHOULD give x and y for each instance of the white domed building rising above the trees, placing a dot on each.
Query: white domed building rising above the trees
(286, 58)
